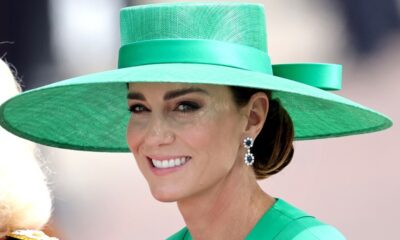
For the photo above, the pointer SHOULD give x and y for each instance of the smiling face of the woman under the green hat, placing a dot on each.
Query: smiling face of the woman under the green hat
(185, 137)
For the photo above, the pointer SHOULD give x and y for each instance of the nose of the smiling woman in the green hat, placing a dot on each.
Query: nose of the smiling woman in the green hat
(158, 133)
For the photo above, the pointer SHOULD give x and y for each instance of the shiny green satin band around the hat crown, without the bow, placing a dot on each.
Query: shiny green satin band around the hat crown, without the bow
(194, 51)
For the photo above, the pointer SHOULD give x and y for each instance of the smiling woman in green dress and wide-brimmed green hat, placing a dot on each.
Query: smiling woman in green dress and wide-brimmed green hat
(209, 115)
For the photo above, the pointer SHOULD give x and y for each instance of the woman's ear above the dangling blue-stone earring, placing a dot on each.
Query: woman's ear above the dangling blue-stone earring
(256, 112)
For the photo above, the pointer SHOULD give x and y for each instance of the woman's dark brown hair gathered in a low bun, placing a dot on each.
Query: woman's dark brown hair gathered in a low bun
(273, 147)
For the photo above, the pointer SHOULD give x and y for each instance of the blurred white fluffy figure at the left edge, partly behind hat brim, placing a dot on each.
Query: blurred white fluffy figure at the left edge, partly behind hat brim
(25, 201)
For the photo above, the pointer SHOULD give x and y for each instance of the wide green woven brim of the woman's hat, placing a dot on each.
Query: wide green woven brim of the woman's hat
(90, 112)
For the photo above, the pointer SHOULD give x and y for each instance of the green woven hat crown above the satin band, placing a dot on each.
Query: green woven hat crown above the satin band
(240, 23)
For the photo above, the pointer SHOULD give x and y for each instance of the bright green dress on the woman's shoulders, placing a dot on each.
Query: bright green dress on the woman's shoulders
(283, 222)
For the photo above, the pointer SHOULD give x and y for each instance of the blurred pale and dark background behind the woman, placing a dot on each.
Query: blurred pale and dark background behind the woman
(352, 182)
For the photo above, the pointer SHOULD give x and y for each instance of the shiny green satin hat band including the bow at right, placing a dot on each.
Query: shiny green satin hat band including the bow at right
(324, 76)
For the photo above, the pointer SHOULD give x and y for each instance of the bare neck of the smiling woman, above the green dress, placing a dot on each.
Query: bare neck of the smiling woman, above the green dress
(236, 203)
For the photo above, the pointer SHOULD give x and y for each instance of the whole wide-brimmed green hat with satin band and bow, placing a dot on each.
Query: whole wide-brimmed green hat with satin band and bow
(207, 43)
